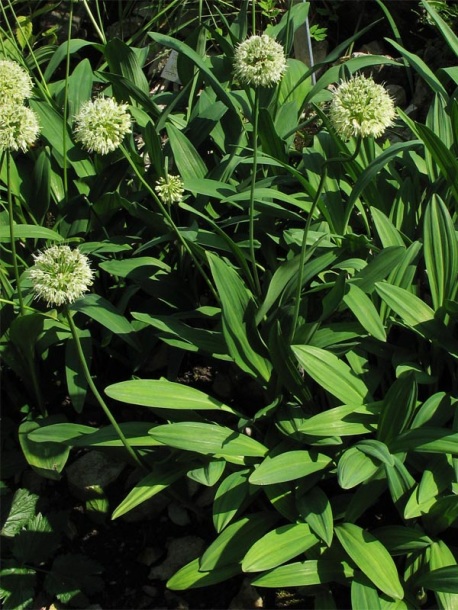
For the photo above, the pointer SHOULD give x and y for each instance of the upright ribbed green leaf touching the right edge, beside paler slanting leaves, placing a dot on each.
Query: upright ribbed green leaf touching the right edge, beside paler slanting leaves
(441, 251)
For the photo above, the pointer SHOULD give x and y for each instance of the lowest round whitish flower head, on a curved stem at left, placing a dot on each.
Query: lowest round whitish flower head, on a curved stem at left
(60, 275)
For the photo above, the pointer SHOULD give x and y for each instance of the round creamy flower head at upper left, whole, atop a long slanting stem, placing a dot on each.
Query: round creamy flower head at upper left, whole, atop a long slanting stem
(101, 125)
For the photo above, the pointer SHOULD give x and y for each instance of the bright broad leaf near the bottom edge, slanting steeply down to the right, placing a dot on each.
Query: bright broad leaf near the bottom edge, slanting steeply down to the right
(371, 557)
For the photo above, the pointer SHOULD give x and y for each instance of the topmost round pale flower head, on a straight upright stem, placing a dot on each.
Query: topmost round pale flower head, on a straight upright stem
(259, 61)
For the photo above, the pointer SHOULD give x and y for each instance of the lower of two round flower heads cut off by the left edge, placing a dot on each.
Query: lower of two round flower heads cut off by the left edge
(19, 127)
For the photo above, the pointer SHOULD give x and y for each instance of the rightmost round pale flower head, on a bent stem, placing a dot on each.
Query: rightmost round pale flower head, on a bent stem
(360, 107)
